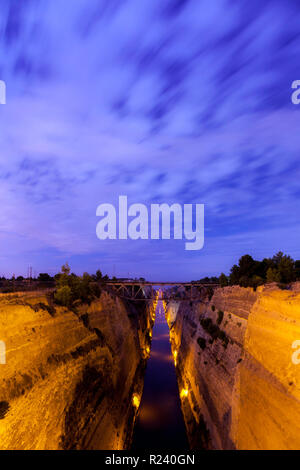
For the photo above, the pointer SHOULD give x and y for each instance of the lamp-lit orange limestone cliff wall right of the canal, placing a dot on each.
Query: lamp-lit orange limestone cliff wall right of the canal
(240, 388)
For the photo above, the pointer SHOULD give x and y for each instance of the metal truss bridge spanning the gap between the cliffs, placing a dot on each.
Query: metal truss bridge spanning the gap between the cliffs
(144, 290)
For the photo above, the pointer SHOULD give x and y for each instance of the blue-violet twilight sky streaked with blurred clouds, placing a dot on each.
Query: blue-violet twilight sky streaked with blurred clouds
(174, 101)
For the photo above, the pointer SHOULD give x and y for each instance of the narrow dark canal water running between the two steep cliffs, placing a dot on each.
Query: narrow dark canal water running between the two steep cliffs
(160, 422)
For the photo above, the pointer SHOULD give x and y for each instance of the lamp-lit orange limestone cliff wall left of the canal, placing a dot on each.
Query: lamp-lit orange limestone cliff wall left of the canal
(72, 380)
